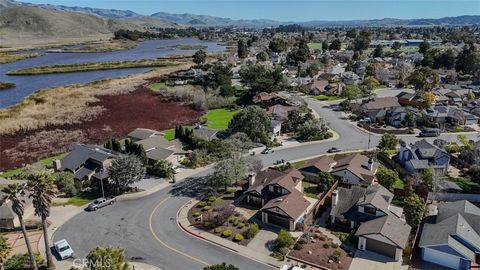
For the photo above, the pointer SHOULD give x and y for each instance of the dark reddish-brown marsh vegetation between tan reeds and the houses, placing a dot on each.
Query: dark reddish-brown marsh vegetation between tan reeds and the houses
(120, 114)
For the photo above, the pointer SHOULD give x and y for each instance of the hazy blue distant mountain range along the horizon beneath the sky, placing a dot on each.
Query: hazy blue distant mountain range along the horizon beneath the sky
(162, 19)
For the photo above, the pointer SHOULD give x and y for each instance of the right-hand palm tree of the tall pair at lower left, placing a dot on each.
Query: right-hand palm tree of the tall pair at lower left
(42, 185)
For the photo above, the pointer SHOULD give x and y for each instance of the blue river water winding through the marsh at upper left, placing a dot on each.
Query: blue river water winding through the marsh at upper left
(150, 49)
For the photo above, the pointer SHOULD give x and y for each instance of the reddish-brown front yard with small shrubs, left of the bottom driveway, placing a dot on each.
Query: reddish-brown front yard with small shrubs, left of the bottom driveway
(315, 248)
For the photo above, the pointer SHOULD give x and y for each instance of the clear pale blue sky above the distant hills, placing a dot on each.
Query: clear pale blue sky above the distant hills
(289, 10)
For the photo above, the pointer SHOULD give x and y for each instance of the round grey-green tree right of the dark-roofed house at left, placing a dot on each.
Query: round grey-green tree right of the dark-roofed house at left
(126, 170)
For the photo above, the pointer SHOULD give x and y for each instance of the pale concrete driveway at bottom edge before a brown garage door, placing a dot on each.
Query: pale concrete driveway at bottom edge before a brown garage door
(374, 261)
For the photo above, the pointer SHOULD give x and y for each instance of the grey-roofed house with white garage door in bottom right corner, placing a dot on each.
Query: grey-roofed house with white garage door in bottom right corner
(452, 240)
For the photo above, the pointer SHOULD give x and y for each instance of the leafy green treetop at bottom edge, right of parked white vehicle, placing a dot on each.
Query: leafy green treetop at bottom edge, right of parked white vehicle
(107, 258)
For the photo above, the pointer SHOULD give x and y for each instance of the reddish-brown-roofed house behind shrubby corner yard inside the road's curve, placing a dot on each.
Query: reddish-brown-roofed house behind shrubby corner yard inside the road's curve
(280, 196)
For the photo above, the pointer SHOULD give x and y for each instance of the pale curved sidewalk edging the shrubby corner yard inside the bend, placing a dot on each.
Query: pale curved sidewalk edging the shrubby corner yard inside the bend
(258, 255)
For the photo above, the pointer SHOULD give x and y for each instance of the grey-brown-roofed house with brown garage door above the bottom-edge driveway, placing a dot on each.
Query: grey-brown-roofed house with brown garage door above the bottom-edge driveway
(379, 225)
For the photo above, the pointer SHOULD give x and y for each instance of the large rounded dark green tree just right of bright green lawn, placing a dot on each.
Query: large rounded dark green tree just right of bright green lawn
(252, 121)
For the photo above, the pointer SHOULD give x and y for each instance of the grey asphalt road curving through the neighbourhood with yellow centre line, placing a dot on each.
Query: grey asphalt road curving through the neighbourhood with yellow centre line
(147, 228)
